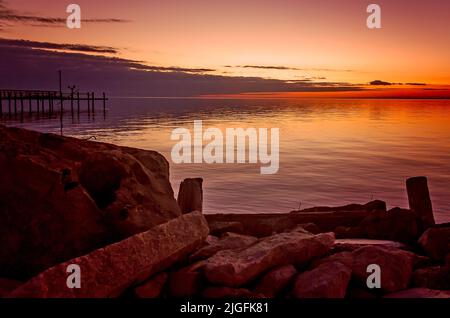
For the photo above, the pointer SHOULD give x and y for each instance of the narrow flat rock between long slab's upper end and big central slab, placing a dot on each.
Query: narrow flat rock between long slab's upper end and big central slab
(228, 242)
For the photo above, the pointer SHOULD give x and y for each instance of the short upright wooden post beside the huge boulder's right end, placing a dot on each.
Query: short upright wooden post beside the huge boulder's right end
(190, 195)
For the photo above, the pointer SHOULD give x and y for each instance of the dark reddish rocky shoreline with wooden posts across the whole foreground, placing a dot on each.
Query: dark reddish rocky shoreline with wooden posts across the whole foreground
(111, 210)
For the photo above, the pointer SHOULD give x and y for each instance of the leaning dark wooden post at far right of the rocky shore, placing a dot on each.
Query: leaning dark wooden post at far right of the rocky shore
(419, 201)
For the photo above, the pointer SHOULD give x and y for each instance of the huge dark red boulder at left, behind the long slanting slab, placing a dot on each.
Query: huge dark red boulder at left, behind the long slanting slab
(64, 197)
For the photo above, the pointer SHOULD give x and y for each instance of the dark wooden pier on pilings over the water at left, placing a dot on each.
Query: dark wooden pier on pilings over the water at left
(20, 102)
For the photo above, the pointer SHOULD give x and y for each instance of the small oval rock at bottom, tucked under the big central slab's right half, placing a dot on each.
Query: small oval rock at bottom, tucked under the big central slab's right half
(273, 282)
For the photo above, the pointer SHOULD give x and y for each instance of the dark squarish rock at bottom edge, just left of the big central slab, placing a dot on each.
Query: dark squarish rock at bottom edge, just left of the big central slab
(184, 283)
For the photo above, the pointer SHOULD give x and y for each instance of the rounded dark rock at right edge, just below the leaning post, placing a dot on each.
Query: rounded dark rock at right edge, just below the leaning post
(436, 242)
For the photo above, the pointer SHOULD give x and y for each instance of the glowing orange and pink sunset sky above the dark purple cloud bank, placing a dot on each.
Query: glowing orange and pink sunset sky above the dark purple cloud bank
(323, 41)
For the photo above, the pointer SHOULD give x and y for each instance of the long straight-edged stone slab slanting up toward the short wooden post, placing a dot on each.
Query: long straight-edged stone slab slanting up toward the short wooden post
(108, 271)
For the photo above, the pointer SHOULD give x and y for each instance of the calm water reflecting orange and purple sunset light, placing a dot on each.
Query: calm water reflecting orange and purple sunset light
(332, 152)
